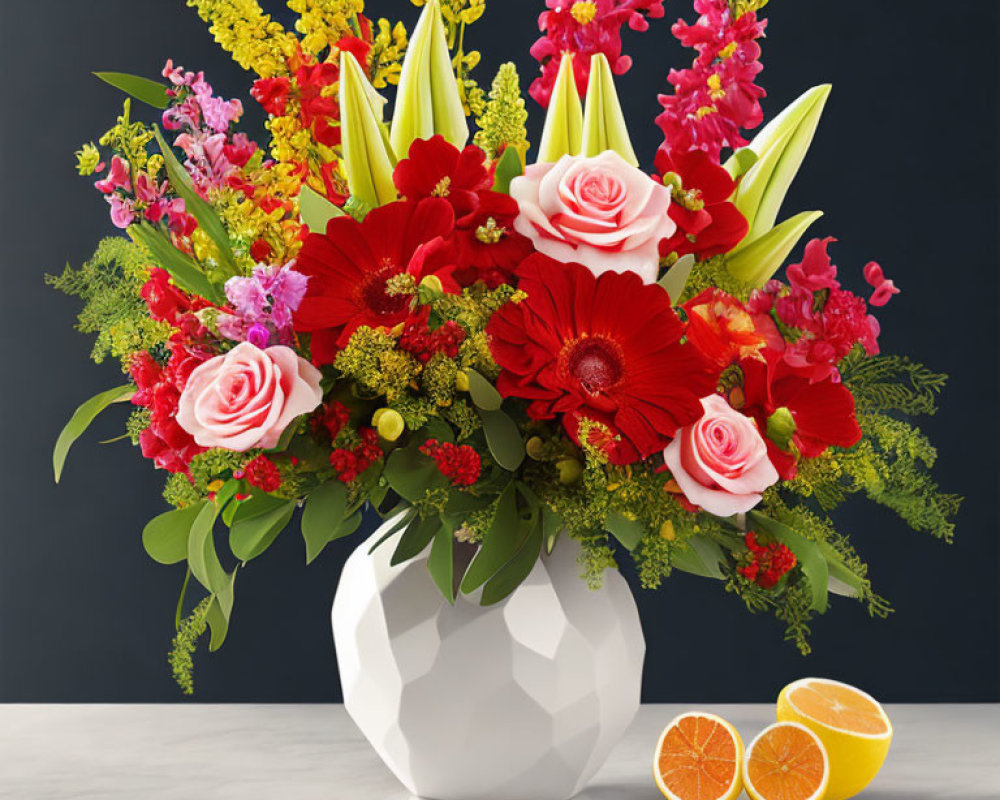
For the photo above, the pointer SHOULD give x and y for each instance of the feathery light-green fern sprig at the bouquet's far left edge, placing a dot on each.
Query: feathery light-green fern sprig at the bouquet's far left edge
(109, 285)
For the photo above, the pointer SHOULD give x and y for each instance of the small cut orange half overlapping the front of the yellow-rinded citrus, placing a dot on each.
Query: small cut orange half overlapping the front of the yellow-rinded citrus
(786, 761)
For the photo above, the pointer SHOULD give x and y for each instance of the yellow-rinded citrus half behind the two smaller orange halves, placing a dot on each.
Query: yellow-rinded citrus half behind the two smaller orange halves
(851, 724)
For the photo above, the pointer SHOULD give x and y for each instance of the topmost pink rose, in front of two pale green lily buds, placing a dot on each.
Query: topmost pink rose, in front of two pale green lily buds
(600, 212)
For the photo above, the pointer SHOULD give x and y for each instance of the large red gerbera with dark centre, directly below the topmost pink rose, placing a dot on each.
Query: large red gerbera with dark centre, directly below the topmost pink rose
(606, 349)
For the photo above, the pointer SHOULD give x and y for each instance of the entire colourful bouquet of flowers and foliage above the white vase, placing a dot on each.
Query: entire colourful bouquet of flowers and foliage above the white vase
(504, 352)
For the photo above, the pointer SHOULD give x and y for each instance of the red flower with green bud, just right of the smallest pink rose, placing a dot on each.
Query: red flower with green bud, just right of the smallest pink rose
(823, 411)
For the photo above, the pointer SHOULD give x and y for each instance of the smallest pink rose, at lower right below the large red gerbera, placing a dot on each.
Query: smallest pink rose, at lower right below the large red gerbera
(720, 462)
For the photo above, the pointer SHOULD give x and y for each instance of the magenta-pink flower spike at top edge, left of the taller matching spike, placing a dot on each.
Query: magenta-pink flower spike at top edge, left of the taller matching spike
(586, 28)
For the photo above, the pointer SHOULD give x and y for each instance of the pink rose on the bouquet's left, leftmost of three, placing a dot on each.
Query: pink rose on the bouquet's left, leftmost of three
(247, 397)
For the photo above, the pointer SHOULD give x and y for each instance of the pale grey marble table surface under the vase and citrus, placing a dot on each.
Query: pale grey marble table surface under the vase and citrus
(314, 752)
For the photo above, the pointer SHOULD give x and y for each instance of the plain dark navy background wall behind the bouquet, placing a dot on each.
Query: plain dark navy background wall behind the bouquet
(905, 167)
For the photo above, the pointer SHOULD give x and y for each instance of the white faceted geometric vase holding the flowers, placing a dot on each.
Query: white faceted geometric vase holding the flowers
(522, 700)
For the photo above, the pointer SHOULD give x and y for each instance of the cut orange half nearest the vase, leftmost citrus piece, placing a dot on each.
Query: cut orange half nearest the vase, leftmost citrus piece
(699, 757)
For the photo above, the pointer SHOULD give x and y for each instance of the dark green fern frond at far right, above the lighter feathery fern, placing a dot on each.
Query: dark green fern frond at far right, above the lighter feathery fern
(891, 383)
